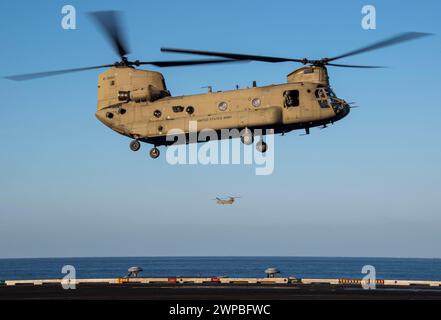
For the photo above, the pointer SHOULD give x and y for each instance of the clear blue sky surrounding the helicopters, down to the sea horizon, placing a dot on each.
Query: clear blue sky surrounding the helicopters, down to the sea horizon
(368, 186)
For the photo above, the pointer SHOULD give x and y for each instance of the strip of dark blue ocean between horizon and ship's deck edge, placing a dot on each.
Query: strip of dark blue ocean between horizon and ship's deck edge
(300, 267)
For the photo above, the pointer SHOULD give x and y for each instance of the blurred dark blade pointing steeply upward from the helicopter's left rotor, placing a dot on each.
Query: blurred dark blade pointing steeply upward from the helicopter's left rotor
(110, 23)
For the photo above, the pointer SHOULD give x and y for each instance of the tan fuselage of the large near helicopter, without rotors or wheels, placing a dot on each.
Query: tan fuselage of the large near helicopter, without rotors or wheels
(136, 103)
